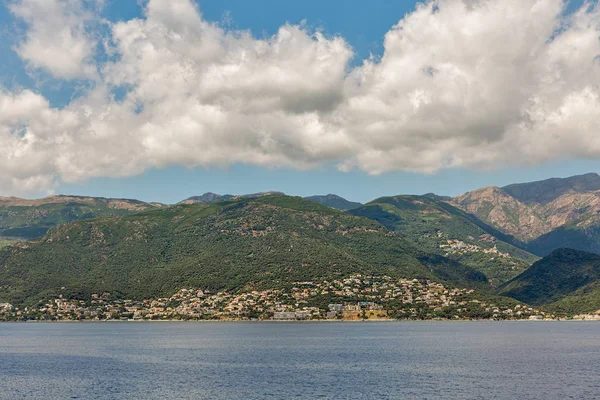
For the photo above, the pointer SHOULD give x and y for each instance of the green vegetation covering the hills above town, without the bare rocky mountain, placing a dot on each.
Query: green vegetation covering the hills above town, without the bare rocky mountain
(271, 242)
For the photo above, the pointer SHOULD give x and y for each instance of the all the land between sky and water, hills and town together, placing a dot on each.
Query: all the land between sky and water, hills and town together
(524, 251)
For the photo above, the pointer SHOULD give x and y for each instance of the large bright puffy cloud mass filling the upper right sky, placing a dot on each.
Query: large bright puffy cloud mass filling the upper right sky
(476, 84)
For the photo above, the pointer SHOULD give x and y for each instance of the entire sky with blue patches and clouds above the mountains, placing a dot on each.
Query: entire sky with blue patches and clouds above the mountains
(164, 99)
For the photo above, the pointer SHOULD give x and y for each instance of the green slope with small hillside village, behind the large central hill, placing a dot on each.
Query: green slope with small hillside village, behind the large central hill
(440, 228)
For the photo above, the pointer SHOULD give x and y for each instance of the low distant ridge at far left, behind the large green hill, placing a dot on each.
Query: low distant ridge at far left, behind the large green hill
(29, 219)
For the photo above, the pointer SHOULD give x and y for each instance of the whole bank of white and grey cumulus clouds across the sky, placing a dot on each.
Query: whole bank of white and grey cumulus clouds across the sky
(469, 83)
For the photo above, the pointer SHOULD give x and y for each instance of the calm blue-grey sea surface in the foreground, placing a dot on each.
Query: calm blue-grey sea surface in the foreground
(425, 360)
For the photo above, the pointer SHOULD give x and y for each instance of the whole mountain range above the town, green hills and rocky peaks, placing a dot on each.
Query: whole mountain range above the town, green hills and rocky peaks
(490, 239)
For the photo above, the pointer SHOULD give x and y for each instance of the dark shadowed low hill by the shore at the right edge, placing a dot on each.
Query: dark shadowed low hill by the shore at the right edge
(567, 280)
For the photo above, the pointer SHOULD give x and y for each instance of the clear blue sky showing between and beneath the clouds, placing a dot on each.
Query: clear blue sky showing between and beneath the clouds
(363, 26)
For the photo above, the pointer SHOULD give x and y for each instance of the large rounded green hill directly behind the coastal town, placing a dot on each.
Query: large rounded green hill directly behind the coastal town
(263, 242)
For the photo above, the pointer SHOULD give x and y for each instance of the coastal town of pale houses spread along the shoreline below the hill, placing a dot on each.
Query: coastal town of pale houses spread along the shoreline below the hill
(357, 297)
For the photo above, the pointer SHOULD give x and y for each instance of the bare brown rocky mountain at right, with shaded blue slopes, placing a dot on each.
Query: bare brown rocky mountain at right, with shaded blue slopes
(544, 215)
